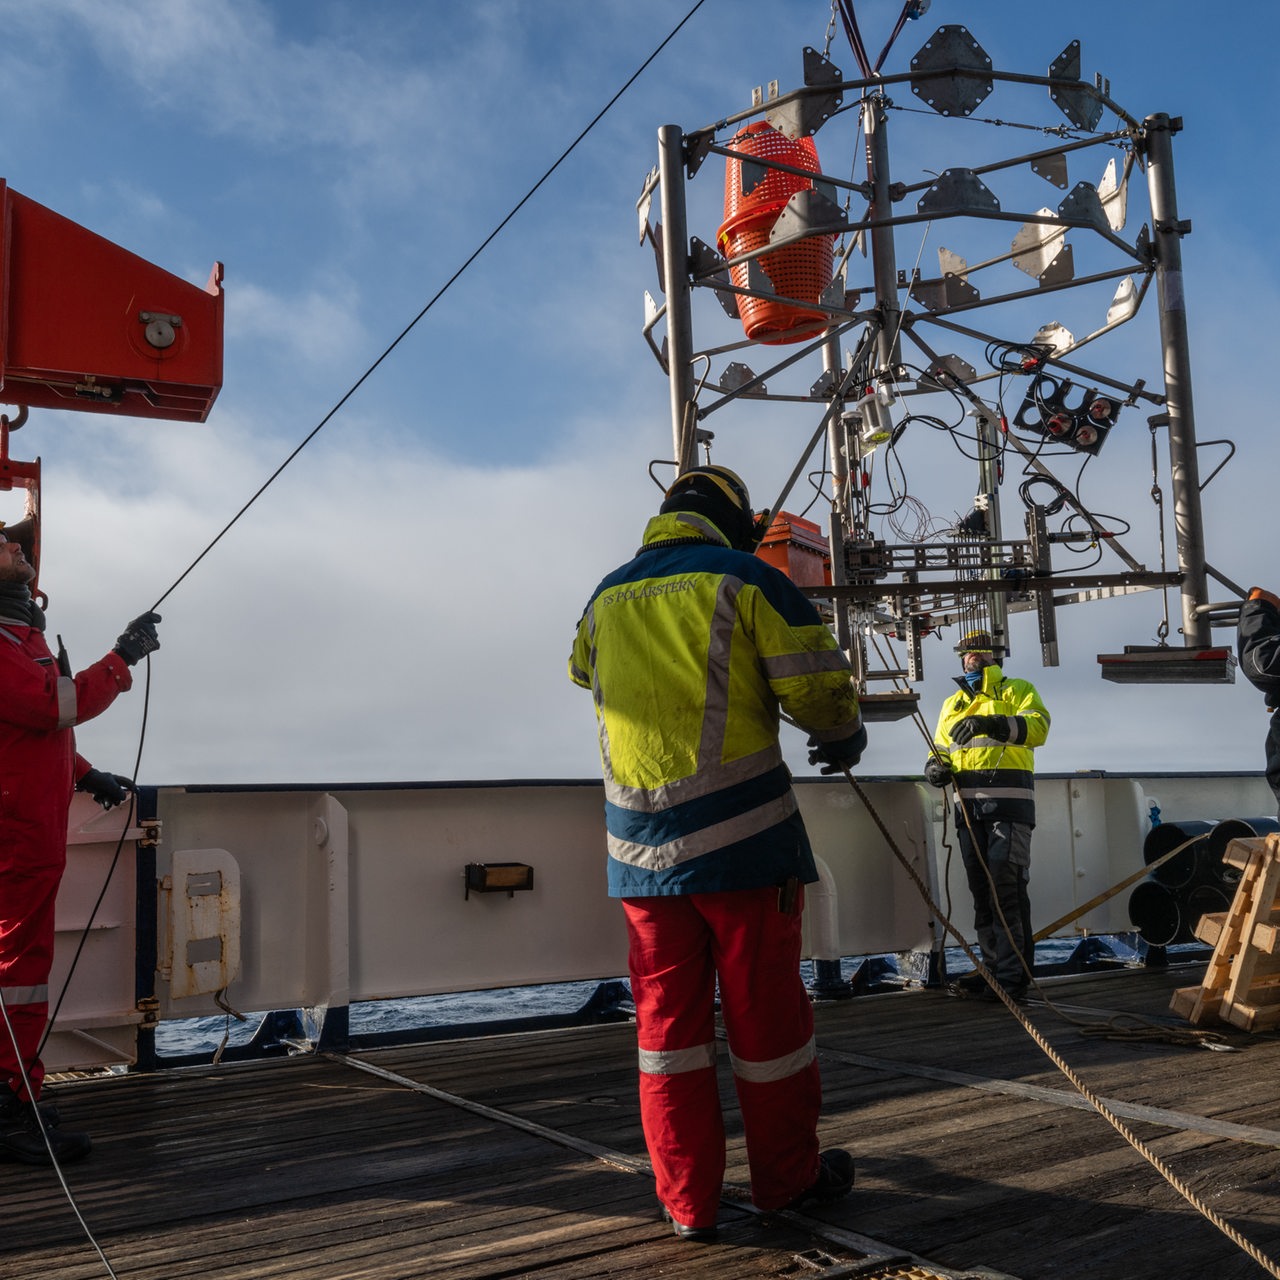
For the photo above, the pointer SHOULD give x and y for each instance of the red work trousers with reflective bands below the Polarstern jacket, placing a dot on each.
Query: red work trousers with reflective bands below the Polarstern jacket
(680, 947)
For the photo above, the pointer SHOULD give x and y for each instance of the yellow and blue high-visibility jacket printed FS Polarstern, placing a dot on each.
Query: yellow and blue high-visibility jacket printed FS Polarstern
(689, 651)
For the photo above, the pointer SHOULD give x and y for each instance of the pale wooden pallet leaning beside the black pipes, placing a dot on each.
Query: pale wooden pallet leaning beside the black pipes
(1242, 982)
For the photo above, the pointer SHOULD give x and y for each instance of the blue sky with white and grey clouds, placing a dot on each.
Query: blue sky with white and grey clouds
(401, 601)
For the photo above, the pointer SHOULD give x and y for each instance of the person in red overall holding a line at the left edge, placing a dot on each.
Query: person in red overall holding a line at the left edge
(39, 767)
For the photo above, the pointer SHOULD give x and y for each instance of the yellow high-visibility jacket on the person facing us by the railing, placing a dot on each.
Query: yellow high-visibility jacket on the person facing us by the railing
(994, 779)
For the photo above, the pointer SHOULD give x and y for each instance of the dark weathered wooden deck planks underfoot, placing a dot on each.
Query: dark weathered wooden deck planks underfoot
(312, 1169)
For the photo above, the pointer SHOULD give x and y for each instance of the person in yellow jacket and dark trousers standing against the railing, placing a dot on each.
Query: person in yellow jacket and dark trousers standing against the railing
(985, 742)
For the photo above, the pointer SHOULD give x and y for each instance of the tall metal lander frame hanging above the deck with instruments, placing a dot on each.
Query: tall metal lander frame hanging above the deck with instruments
(900, 326)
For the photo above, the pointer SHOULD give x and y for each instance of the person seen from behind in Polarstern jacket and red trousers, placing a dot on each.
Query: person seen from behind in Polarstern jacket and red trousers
(691, 651)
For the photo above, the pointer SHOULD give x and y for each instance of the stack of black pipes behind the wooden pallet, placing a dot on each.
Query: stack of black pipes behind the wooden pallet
(1167, 907)
